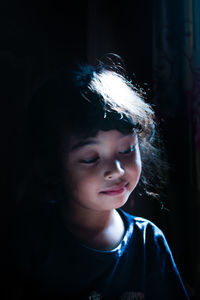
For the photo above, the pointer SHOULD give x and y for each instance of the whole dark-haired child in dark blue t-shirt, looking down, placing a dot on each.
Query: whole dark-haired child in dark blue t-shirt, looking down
(92, 138)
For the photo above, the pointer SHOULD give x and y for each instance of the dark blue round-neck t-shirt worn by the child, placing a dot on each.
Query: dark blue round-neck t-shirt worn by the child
(53, 264)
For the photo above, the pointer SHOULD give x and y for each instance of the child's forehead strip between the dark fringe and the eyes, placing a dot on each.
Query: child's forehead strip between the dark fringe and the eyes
(101, 137)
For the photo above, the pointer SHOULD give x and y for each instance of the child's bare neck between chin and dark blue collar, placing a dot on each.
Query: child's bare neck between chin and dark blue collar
(101, 230)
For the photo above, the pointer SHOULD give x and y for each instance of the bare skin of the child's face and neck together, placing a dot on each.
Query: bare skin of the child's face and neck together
(101, 173)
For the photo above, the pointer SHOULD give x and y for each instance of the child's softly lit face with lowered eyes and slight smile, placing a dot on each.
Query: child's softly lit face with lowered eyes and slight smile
(102, 171)
